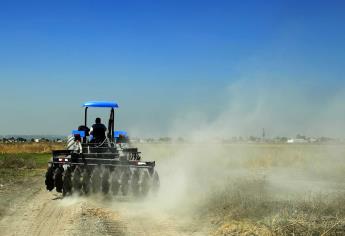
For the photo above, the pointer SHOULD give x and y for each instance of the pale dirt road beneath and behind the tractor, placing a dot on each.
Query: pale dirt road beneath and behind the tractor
(46, 213)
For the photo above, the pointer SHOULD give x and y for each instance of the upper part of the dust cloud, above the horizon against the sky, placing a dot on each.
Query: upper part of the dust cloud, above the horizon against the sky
(283, 107)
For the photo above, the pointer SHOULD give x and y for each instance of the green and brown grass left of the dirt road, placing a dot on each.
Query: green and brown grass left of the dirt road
(21, 165)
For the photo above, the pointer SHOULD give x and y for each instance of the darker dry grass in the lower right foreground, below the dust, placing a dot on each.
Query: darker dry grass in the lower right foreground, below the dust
(246, 208)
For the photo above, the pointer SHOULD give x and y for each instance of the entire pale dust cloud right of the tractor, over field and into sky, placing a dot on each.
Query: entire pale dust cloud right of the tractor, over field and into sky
(203, 173)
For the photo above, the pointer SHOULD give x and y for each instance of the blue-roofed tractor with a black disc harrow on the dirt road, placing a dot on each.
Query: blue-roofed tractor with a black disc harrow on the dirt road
(90, 165)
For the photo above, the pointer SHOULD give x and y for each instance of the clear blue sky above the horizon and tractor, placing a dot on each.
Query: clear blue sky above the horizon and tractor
(165, 60)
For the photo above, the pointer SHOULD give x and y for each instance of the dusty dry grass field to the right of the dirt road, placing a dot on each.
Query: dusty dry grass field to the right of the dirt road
(260, 189)
